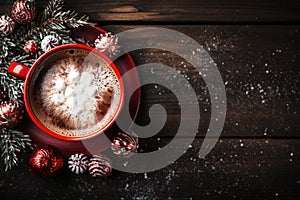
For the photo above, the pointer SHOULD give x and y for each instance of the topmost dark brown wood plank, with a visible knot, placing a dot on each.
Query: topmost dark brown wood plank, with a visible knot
(203, 11)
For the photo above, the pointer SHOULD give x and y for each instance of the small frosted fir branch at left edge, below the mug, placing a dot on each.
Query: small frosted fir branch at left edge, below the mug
(11, 143)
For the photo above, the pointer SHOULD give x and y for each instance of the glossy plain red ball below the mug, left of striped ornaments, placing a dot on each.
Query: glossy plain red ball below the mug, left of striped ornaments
(46, 161)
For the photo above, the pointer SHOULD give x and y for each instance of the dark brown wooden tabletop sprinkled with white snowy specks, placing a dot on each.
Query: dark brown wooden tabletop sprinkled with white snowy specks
(256, 46)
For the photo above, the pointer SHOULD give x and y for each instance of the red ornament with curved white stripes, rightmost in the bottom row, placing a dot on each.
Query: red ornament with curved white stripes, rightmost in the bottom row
(99, 166)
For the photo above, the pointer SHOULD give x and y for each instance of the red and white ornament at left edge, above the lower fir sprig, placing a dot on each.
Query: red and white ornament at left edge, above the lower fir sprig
(11, 113)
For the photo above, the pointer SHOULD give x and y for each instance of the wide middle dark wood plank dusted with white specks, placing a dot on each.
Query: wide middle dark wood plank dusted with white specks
(260, 68)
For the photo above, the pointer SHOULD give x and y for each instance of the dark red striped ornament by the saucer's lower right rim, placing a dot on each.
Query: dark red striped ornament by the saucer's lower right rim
(125, 144)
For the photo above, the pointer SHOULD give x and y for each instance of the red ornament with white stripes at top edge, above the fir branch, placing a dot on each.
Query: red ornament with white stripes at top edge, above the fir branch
(23, 11)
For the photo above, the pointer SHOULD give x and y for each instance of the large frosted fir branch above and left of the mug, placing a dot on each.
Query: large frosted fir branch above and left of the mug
(52, 21)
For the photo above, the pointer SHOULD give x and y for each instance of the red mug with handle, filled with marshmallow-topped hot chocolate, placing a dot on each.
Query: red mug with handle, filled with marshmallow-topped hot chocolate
(52, 114)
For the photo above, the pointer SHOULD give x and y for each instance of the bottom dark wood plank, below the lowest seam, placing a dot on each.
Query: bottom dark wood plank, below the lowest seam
(247, 169)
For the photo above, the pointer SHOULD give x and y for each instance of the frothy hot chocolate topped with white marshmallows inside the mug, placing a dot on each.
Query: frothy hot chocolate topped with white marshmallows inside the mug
(77, 94)
